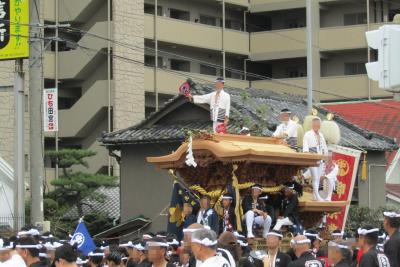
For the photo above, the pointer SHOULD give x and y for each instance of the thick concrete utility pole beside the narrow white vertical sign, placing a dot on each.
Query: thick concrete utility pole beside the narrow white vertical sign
(35, 111)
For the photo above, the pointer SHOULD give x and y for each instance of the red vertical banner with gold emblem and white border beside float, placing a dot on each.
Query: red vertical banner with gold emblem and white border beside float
(347, 160)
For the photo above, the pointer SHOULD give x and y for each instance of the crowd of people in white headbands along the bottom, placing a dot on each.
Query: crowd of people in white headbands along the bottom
(202, 247)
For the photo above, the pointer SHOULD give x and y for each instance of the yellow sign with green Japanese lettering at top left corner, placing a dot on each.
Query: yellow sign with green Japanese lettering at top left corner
(14, 29)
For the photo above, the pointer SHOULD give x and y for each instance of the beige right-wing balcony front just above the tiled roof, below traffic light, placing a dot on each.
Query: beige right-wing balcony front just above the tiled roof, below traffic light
(351, 87)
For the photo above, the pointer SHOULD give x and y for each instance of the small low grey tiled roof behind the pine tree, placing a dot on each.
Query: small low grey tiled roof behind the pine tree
(110, 205)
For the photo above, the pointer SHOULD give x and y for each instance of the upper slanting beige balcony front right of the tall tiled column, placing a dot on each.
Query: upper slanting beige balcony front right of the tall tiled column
(196, 35)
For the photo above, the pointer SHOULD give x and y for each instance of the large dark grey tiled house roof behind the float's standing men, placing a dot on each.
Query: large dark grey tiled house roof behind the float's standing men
(252, 107)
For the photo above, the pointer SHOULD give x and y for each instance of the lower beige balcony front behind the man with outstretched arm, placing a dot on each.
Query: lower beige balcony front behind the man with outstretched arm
(168, 83)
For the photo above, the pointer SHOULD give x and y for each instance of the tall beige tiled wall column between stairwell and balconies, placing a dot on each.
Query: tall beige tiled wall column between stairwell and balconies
(128, 93)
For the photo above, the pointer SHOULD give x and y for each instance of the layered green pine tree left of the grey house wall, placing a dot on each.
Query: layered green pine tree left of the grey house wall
(73, 188)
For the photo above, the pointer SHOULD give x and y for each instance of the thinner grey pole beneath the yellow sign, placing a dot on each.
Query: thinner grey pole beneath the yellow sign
(19, 173)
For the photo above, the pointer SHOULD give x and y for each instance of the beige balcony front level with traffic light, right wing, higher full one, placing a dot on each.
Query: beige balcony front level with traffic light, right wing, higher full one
(292, 43)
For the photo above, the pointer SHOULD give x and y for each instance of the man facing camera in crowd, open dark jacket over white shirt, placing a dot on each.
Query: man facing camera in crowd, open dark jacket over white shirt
(274, 257)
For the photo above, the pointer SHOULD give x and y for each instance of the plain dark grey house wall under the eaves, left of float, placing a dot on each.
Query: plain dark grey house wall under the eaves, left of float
(144, 189)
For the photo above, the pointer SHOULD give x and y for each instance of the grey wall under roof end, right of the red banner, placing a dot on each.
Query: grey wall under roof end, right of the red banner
(372, 192)
